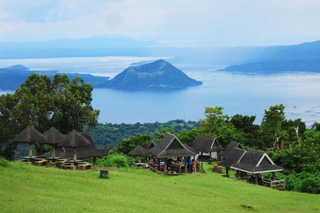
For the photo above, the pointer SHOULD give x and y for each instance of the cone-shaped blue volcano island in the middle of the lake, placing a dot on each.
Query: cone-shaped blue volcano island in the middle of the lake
(156, 75)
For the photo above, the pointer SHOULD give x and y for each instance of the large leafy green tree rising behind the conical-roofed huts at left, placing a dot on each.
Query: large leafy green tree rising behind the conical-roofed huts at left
(42, 103)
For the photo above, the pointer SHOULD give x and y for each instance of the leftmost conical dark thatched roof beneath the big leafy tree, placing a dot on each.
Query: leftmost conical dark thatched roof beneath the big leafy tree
(30, 135)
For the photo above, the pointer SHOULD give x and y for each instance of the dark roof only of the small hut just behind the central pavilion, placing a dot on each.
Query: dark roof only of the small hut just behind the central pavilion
(206, 144)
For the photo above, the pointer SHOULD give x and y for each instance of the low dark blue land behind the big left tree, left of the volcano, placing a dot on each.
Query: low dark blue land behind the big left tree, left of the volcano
(12, 77)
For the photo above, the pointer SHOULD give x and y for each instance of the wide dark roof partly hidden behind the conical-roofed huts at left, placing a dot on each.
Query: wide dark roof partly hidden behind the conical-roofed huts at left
(82, 152)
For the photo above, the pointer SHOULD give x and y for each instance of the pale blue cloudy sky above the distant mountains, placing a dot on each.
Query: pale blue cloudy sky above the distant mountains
(216, 23)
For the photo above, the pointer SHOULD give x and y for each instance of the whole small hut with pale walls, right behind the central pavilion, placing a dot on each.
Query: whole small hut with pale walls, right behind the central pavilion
(207, 147)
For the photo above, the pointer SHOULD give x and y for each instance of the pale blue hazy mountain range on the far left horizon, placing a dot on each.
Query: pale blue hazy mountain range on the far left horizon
(95, 46)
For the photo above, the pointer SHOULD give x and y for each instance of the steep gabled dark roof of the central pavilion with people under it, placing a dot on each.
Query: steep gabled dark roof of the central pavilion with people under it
(170, 146)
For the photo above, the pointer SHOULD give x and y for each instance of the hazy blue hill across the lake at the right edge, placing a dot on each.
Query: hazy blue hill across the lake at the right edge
(304, 57)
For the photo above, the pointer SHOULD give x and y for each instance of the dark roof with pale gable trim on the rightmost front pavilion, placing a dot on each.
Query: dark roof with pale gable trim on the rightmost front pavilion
(256, 162)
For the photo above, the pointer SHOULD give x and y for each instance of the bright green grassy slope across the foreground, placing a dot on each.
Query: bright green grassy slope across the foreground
(26, 188)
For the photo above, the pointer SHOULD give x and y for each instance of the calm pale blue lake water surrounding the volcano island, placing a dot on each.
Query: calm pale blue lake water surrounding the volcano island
(237, 93)
